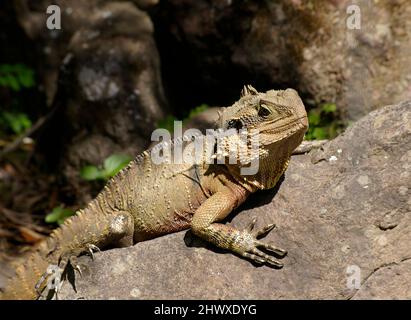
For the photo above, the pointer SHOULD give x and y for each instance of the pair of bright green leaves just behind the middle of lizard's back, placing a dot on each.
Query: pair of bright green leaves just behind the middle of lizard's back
(111, 166)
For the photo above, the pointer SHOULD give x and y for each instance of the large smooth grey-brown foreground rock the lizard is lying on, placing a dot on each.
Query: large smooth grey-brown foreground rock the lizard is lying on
(342, 212)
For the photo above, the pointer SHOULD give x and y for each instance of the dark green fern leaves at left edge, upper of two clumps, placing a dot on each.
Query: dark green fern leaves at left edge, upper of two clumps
(16, 76)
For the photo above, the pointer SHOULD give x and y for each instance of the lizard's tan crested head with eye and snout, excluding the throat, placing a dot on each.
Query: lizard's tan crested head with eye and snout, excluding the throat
(277, 115)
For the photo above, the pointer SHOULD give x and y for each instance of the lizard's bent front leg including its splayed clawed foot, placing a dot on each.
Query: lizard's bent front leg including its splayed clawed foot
(245, 243)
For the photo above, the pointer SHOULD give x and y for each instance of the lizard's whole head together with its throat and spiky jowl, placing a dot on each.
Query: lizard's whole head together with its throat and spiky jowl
(279, 121)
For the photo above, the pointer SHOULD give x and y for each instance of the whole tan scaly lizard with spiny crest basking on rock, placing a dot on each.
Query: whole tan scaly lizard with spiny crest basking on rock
(147, 200)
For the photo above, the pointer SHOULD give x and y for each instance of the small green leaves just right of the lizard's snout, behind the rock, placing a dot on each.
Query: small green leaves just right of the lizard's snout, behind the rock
(324, 122)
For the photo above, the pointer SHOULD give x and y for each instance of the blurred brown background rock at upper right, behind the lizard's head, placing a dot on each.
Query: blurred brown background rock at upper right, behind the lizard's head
(312, 46)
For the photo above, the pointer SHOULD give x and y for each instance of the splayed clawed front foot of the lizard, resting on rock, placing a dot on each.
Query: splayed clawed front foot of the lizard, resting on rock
(248, 245)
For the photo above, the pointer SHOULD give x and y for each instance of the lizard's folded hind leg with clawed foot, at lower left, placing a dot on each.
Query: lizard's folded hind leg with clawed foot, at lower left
(84, 233)
